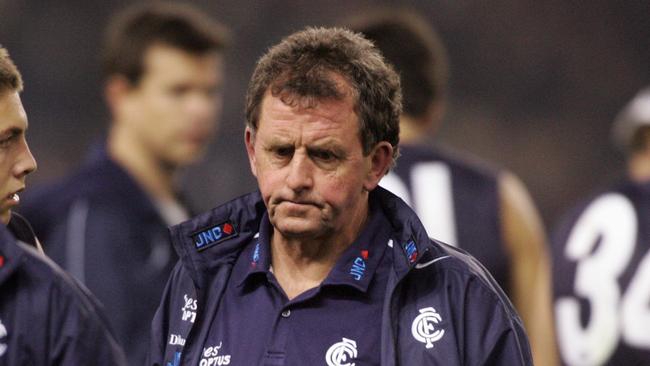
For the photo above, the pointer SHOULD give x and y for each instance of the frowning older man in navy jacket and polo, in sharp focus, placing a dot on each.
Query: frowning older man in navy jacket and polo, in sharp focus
(322, 266)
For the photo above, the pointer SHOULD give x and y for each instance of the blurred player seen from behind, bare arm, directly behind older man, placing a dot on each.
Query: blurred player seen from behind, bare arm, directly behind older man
(461, 201)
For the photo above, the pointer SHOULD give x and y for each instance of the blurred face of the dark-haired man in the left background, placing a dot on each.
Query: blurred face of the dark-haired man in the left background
(171, 112)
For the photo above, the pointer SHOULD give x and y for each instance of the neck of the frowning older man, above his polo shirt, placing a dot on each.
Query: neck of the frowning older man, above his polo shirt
(300, 264)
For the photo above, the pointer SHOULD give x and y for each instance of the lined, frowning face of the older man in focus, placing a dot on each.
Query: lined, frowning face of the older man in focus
(310, 167)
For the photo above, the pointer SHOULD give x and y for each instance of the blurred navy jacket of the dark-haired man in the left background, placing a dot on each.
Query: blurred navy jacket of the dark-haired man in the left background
(100, 226)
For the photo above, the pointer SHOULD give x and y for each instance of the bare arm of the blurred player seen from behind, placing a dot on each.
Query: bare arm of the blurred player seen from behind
(525, 239)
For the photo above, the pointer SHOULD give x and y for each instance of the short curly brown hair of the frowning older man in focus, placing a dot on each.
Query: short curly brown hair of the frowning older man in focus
(303, 68)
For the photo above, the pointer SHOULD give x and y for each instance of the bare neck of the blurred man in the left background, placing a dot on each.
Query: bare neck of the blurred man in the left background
(152, 175)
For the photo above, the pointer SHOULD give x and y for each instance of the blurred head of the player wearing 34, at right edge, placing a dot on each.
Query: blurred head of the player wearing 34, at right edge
(631, 130)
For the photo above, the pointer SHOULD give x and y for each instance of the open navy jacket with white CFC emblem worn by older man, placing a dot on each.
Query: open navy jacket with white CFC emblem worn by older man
(441, 306)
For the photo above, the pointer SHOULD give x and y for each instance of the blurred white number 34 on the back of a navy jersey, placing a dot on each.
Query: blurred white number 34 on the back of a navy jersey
(611, 218)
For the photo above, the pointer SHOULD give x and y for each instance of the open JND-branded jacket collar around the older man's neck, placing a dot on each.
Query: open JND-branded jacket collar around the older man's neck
(217, 237)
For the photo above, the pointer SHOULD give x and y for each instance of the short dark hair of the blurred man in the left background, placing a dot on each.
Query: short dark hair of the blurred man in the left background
(134, 30)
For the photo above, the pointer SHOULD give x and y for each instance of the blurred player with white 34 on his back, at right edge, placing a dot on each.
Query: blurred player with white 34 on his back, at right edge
(602, 262)
